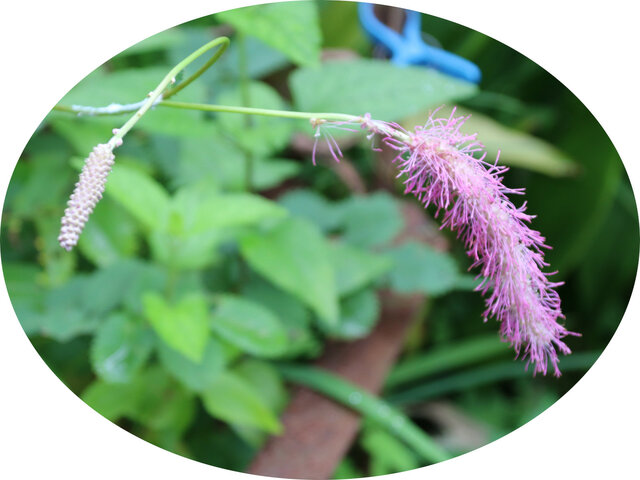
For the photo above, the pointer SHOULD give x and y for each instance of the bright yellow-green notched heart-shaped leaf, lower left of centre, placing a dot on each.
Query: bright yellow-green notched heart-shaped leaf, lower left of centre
(183, 326)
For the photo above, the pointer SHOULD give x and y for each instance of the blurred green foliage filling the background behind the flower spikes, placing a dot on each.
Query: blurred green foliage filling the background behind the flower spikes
(297, 264)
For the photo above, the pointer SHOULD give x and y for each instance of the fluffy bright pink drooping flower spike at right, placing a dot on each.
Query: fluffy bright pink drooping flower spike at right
(446, 168)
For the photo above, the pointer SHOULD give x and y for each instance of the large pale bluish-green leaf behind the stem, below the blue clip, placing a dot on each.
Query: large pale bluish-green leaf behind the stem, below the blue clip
(378, 87)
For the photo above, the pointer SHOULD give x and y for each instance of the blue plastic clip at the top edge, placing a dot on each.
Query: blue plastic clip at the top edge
(410, 49)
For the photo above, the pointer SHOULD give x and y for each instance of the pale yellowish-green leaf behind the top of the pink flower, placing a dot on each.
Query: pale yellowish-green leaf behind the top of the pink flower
(517, 149)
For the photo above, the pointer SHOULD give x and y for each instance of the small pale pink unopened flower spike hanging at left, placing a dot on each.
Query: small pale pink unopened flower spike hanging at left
(87, 193)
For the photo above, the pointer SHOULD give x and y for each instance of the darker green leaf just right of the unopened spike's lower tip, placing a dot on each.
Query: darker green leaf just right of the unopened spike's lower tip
(109, 235)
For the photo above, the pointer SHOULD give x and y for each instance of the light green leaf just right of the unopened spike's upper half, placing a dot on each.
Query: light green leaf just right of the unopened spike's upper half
(139, 194)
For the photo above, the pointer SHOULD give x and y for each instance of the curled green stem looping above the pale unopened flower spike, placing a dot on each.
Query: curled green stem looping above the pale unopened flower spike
(156, 94)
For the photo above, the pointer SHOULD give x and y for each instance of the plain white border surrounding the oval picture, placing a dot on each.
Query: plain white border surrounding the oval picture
(46, 431)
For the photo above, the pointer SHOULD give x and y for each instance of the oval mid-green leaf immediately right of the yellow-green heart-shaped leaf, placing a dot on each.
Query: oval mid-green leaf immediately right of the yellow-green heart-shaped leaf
(249, 326)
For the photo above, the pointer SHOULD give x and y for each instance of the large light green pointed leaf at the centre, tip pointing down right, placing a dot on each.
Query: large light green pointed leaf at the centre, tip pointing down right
(295, 257)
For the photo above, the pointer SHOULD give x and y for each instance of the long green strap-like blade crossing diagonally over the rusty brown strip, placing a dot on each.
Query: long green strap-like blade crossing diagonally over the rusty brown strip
(369, 406)
